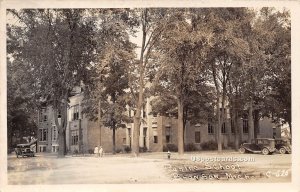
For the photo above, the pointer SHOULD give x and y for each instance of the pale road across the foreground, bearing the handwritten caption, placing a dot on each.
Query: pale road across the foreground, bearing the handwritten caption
(149, 168)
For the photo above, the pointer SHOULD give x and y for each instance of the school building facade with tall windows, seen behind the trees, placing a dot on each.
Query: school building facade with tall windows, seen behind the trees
(82, 135)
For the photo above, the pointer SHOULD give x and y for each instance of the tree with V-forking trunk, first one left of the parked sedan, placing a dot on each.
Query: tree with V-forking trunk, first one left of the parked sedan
(229, 50)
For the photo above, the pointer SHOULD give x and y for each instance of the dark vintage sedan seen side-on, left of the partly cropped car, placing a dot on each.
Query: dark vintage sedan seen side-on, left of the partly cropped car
(260, 145)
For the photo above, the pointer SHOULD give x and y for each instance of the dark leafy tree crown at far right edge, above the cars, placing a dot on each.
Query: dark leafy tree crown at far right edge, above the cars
(277, 48)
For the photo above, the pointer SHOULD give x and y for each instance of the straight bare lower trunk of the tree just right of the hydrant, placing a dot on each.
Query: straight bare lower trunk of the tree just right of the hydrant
(180, 127)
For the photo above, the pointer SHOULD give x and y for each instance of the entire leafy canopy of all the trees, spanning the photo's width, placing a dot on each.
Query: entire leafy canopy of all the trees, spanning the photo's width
(192, 60)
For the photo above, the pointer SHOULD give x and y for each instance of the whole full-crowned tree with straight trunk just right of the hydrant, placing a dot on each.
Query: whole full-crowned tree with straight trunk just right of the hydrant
(183, 50)
